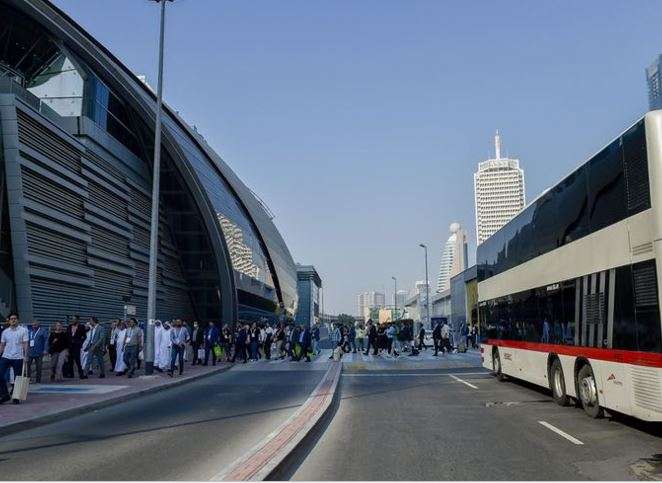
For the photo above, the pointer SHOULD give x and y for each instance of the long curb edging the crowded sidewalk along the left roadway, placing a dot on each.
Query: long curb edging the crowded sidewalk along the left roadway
(78, 410)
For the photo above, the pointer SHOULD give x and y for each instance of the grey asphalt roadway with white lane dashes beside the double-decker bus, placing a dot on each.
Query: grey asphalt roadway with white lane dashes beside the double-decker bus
(427, 425)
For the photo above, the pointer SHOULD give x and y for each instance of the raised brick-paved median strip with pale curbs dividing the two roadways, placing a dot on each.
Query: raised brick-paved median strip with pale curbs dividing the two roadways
(273, 456)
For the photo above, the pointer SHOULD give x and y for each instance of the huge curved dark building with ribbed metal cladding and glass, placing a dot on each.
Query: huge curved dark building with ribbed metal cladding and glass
(76, 128)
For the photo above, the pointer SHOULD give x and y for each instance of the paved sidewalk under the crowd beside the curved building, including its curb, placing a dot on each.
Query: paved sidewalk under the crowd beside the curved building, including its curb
(54, 401)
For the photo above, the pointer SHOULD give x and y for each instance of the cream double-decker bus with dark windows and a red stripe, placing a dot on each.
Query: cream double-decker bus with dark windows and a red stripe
(568, 291)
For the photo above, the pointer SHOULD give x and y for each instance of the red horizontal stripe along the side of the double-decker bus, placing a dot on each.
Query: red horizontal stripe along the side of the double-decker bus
(650, 359)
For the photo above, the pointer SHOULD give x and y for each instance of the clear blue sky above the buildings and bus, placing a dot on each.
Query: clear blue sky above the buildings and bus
(360, 123)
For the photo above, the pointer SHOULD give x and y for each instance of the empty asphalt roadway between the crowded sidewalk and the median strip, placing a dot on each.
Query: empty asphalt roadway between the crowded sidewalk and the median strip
(190, 432)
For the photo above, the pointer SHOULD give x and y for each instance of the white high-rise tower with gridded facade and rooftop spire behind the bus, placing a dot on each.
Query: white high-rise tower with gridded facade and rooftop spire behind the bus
(498, 191)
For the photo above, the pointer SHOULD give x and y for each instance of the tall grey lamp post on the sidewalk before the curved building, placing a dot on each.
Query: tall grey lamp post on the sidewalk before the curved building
(154, 228)
